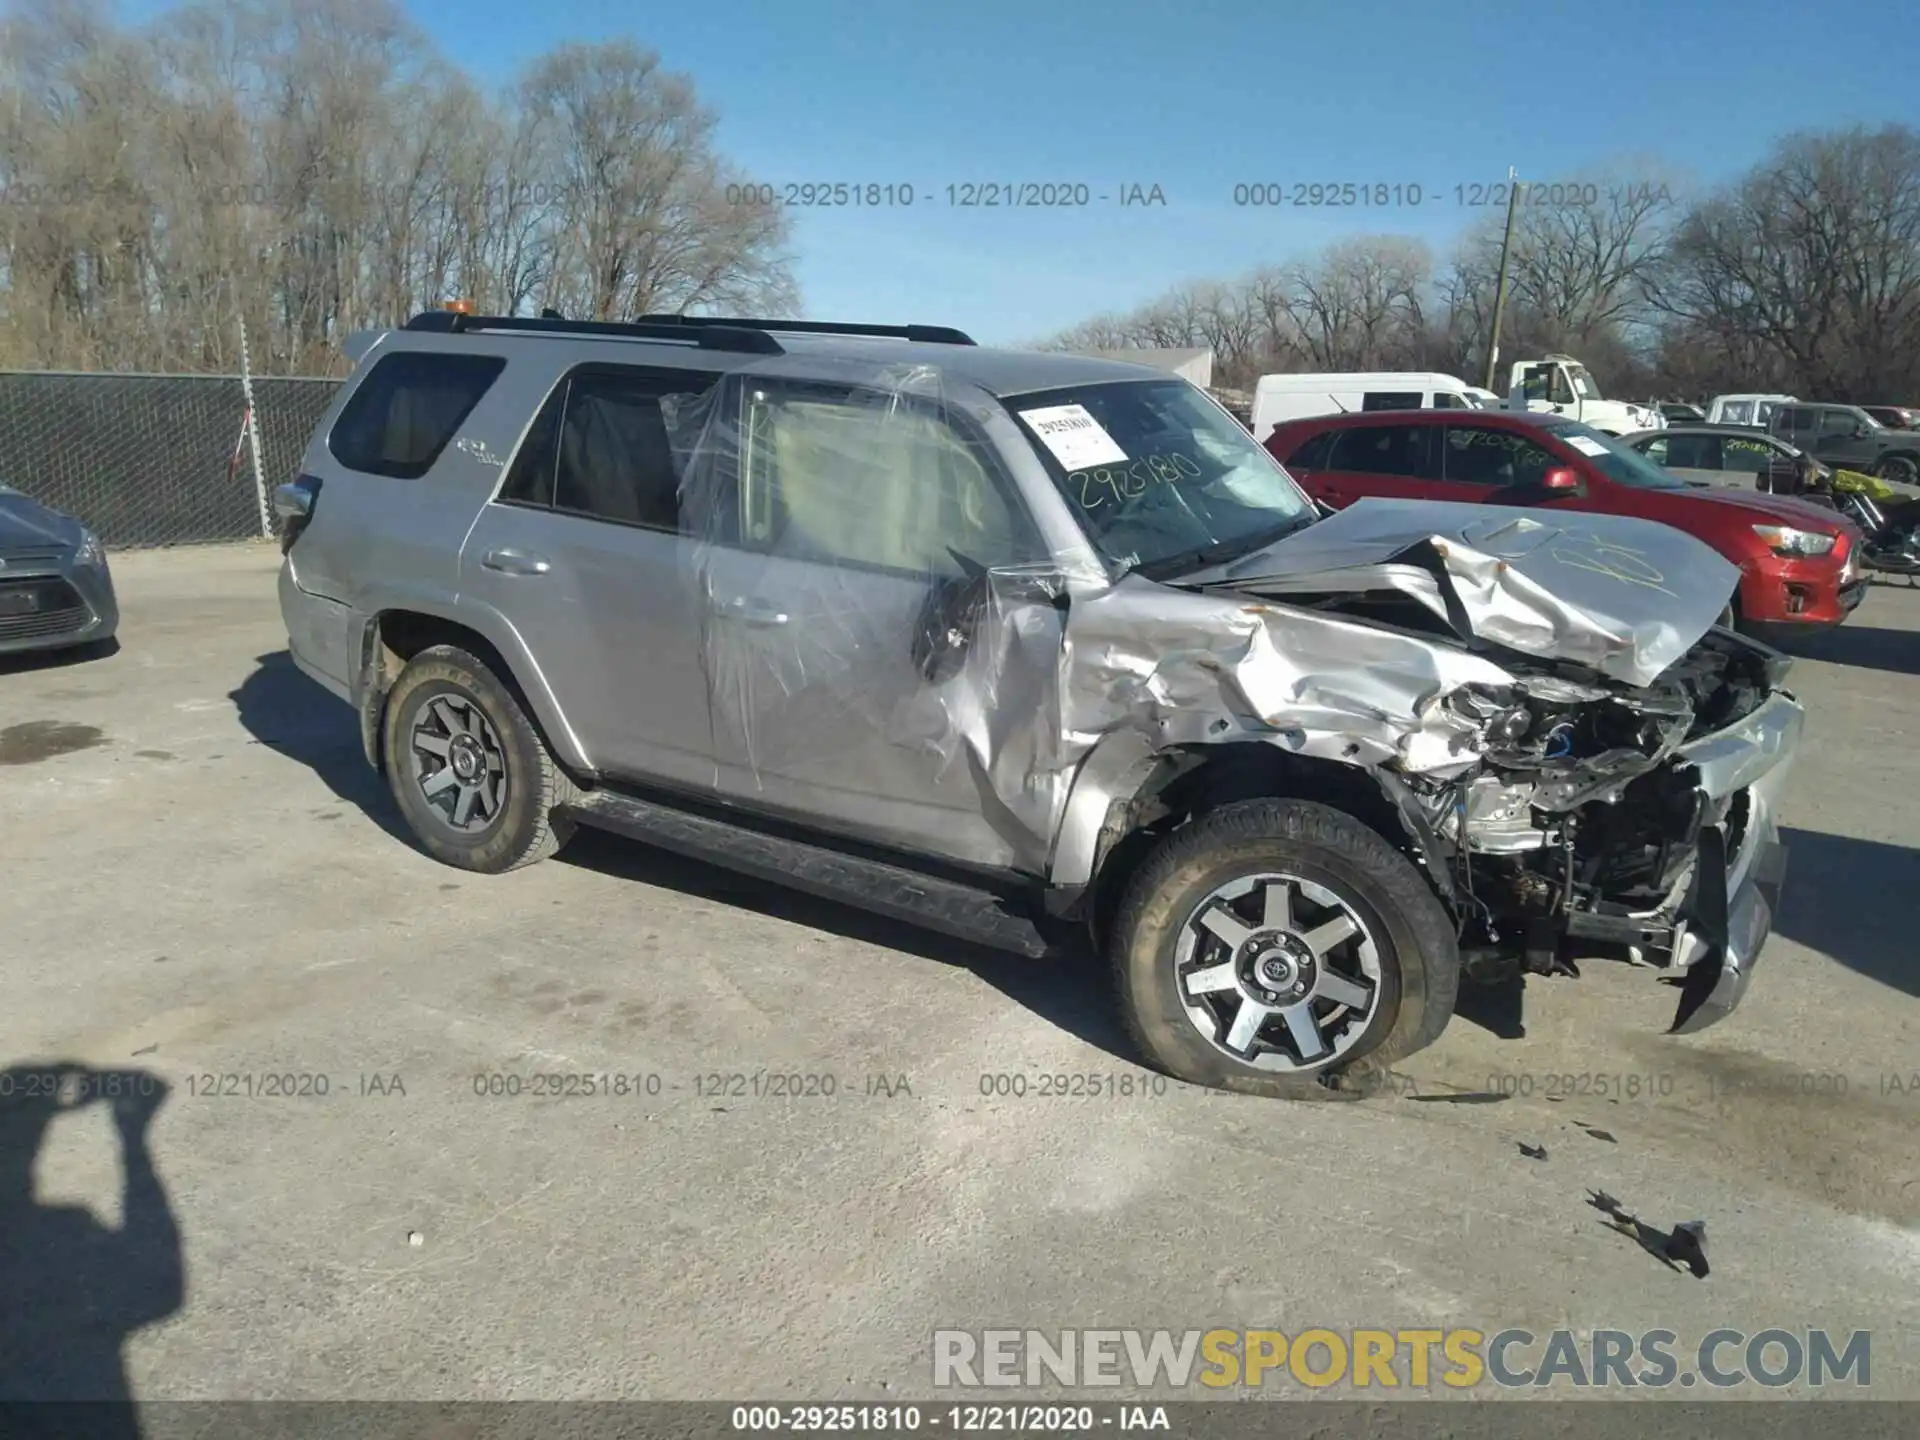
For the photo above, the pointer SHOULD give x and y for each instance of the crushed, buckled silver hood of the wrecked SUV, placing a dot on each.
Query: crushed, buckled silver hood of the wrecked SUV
(1625, 598)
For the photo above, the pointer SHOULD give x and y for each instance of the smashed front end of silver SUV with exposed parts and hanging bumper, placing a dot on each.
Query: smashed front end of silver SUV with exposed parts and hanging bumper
(1637, 825)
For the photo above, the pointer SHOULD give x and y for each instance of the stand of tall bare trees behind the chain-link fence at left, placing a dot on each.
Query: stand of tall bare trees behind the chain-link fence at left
(318, 168)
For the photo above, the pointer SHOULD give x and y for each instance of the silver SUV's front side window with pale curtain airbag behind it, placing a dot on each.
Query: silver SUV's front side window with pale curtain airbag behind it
(869, 479)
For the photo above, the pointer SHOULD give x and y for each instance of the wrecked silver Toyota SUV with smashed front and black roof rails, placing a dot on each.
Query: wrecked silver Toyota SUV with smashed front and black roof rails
(1036, 648)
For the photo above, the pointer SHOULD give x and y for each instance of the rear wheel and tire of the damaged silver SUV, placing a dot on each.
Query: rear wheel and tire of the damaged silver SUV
(469, 769)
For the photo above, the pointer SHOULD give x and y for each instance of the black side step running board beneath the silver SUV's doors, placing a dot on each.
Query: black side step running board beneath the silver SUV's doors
(934, 903)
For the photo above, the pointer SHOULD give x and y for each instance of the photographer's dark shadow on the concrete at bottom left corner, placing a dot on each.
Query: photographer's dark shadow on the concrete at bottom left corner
(74, 1289)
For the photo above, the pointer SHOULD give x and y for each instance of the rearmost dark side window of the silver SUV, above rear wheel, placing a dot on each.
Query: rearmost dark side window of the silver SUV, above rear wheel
(408, 410)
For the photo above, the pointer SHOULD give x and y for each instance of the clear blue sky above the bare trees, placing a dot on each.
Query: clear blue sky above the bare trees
(1199, 97)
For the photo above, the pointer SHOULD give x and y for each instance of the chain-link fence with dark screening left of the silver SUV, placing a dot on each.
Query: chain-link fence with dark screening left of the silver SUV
(155, 460)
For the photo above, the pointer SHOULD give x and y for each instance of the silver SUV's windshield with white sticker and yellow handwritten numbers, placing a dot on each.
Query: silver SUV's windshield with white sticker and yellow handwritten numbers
(1159, 477)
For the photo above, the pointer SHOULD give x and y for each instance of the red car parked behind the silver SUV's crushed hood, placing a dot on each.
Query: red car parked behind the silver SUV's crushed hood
(1800, 562)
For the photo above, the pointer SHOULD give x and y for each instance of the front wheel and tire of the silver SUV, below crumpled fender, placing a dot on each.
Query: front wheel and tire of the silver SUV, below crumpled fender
(1272, 946)
